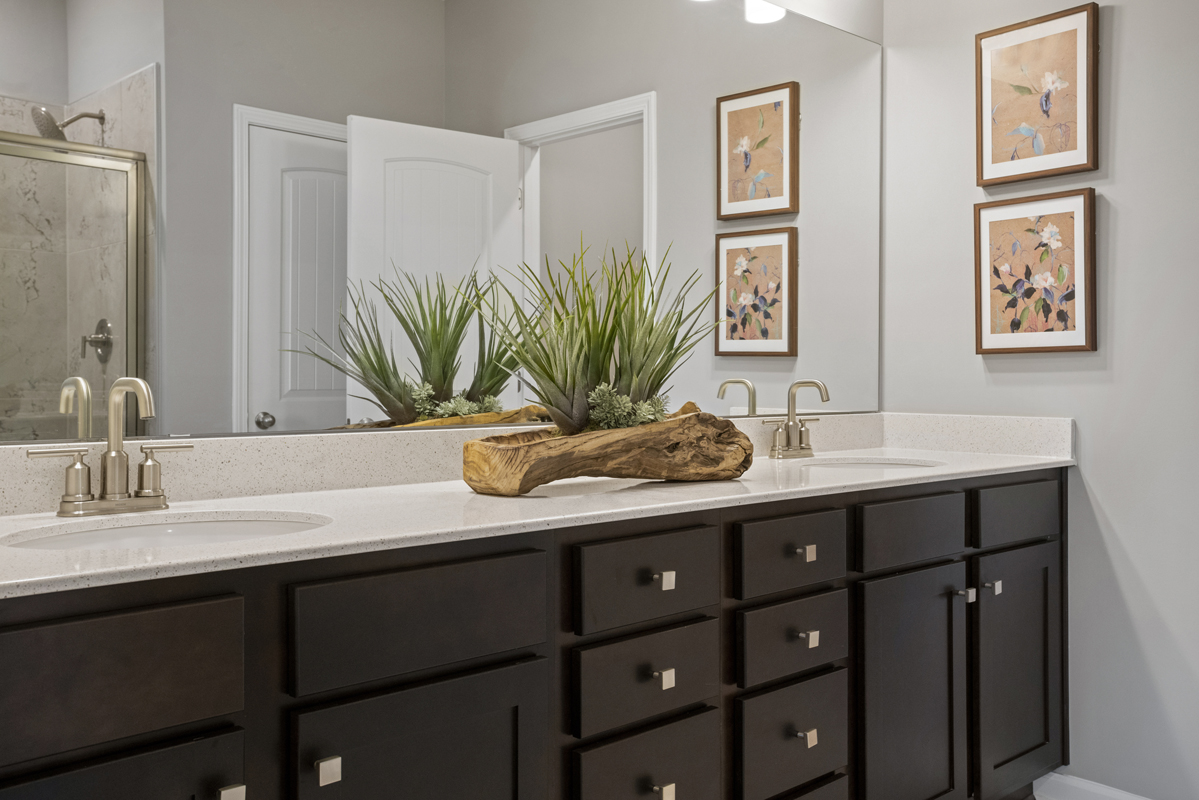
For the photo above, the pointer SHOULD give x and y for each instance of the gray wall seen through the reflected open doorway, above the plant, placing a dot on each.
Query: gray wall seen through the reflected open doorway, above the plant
(592, 187)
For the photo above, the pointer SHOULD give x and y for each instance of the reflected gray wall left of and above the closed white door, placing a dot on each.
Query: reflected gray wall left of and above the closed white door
(323, 61)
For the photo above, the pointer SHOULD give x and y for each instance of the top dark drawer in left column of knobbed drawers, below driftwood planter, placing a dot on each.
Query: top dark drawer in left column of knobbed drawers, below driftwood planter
(617, 584)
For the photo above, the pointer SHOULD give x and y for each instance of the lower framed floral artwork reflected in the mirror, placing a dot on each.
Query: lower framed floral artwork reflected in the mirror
(757, 293)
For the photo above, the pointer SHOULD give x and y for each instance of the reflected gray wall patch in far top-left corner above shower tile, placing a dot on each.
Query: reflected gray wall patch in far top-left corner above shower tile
(34, 51)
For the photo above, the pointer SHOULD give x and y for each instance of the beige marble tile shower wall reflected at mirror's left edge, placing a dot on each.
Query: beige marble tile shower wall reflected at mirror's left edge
(55, 291)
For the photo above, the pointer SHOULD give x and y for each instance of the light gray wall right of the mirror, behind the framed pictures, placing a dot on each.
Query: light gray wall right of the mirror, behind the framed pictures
(1135, 637)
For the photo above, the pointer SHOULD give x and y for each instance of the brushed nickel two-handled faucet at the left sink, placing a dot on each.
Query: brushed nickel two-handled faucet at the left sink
(115, 467)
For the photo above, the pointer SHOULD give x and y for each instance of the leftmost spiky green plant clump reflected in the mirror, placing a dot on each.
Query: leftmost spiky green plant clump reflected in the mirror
(367, 359)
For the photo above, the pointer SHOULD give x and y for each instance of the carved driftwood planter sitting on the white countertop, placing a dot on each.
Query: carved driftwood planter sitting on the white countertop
(694, 447)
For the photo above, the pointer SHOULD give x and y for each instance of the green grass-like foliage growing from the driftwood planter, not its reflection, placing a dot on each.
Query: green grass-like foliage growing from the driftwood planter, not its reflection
(611, 326)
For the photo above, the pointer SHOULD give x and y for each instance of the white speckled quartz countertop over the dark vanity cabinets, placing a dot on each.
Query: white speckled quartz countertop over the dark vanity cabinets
(365, 520)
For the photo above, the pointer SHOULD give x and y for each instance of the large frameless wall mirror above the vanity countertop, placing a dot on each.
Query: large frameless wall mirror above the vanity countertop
(189, 189)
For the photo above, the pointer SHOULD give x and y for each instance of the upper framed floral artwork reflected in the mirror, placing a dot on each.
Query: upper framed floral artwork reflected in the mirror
(758, 153)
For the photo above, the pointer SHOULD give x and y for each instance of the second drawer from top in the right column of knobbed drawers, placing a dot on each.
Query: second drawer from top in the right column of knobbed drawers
(769, 641)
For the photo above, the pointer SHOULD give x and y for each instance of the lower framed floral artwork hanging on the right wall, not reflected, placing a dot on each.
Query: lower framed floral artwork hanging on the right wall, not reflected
(1035, 274)
